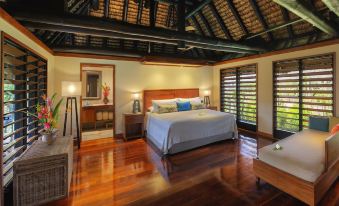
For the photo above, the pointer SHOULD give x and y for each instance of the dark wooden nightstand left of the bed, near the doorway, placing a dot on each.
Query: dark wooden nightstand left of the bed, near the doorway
(134, 125)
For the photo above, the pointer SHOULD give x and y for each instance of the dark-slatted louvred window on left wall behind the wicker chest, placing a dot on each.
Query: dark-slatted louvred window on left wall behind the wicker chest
(24, 80)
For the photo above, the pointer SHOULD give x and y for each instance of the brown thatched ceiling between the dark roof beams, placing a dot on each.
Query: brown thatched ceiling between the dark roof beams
(240, 21)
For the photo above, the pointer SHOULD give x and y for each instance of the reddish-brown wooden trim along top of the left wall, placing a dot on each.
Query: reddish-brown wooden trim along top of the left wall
(9, 19)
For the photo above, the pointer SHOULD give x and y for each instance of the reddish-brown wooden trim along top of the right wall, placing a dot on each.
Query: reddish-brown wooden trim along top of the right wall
(283, 51)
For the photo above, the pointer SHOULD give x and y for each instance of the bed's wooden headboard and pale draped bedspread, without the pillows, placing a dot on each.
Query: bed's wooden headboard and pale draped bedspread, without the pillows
(180, 131)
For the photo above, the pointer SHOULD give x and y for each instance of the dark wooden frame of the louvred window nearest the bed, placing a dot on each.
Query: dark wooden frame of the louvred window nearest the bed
(241, 124)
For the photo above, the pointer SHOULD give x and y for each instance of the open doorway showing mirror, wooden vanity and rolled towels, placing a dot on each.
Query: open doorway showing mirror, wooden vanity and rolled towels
(97, 113)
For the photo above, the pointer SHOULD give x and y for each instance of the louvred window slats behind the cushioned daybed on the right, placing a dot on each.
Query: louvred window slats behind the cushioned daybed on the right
(302, 87)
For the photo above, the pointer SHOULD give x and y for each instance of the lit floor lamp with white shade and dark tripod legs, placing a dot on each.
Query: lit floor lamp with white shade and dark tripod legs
(71, 90)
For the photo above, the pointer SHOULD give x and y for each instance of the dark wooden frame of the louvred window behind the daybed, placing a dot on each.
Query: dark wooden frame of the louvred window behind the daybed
(280, 133)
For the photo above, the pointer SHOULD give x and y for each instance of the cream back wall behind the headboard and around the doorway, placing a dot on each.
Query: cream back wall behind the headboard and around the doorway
(131, 76)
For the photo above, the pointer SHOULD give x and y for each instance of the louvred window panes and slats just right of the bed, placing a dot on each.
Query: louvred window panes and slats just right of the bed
(238, 94)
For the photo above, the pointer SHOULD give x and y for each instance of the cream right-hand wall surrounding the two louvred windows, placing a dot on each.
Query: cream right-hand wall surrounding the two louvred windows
(265, 81)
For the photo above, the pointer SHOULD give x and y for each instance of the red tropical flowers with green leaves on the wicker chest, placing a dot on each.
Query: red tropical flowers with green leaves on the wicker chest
(48, 113)
